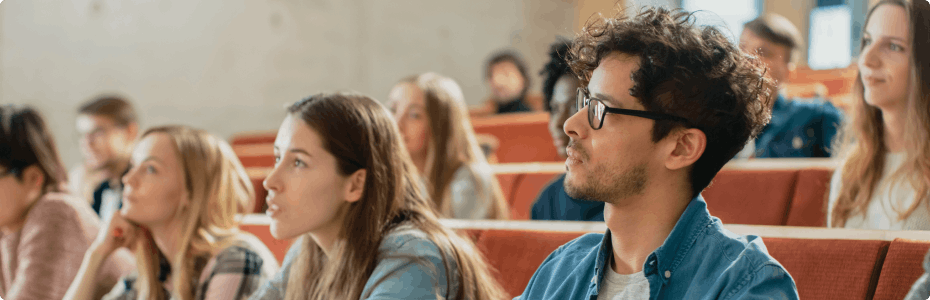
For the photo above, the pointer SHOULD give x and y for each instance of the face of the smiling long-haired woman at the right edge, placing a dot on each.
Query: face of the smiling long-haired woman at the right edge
(884, 64)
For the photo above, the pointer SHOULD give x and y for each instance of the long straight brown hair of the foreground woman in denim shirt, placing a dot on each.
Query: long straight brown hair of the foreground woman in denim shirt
(360, 133)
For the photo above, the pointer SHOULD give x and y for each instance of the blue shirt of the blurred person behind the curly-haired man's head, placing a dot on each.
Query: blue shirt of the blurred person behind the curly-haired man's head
(799, 129)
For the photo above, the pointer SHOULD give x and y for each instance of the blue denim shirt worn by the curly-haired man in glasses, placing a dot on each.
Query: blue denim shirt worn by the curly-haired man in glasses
(698, 260)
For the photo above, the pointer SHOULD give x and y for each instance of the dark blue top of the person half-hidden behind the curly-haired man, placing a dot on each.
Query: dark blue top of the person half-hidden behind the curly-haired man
(554, 204)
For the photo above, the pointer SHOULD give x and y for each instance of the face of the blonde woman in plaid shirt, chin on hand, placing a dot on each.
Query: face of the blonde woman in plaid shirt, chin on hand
(154, 187)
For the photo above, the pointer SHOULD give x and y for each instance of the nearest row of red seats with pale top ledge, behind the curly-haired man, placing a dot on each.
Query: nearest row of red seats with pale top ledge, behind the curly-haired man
(825, 263)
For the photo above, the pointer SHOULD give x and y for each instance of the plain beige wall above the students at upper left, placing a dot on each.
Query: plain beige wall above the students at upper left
(230, 66)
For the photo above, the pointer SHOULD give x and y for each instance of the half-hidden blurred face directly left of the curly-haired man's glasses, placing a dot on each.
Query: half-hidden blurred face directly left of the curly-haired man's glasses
(563, 106)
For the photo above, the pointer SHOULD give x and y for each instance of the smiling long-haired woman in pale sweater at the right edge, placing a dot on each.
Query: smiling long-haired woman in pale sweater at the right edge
(885, 178)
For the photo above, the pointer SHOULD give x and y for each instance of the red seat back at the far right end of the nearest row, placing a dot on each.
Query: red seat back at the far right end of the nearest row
(903, 265)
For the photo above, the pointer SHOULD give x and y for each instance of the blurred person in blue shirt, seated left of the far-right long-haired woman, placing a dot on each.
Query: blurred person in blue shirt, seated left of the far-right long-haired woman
(799, 127)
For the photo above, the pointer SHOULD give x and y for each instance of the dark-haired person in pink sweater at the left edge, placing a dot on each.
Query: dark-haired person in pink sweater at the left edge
(44, 231)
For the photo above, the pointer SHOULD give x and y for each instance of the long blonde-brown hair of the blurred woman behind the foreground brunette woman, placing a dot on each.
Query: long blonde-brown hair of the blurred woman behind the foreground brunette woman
(453, 145)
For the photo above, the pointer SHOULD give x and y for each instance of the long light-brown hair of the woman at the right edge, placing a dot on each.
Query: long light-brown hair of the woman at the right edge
(863, 137)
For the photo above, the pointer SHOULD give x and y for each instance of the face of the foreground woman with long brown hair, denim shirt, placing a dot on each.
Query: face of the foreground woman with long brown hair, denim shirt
(305, 189)
